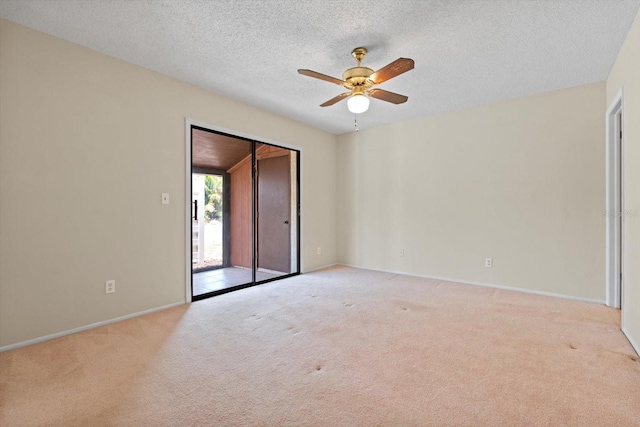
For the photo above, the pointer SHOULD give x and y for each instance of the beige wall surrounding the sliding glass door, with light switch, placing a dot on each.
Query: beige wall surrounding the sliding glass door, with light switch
(87, 145)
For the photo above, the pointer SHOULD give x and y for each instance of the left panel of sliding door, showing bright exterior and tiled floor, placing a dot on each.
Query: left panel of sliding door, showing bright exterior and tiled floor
(222, 252)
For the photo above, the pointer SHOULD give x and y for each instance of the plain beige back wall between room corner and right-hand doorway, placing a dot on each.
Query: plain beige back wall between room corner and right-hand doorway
(521, 182)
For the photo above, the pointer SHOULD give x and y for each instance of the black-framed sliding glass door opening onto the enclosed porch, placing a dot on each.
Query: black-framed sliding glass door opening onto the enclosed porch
(245, 212)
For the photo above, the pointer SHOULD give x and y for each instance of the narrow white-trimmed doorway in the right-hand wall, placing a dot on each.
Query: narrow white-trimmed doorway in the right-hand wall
(615, 203)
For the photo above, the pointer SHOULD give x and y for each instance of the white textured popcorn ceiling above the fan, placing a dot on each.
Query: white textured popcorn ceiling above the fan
(467, 52)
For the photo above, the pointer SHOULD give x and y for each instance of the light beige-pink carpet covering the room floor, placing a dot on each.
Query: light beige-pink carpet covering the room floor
(339, 347)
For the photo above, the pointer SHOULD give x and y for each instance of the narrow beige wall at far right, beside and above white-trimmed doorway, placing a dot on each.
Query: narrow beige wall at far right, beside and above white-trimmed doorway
(626, 74)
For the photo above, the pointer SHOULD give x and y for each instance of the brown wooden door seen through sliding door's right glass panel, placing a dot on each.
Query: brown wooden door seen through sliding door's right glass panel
(274, 212)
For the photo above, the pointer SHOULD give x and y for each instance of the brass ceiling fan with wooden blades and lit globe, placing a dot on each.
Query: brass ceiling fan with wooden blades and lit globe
(361, 81)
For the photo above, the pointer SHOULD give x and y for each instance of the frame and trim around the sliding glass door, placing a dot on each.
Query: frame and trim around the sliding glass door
(189, 123)
